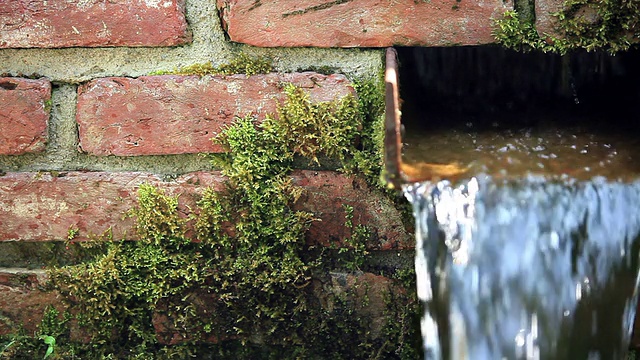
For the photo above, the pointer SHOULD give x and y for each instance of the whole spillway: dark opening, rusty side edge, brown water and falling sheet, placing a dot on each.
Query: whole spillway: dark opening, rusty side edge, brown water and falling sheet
(528, 248)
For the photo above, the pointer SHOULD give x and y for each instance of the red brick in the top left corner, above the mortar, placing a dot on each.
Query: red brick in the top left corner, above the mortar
(60, 23)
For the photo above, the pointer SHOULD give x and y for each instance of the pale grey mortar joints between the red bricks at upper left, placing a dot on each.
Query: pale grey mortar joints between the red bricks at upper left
(69, 66)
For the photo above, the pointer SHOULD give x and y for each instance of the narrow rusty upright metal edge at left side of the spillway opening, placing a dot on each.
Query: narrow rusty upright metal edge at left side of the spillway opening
(392, 137)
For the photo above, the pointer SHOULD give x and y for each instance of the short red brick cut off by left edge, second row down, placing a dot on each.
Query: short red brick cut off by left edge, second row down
(23, 115)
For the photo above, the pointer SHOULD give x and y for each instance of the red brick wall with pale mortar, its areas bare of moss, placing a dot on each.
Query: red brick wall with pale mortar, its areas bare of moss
(83, 123)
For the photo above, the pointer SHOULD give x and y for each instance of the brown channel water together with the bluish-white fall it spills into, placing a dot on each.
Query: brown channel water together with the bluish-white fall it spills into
(535, 254)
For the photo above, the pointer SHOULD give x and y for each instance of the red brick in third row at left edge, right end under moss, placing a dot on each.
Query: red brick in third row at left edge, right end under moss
(41, 207)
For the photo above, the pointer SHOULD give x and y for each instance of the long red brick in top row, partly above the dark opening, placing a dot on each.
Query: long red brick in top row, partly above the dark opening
(360, 23)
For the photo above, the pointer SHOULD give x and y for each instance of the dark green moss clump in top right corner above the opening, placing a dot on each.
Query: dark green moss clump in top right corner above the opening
(610, 25)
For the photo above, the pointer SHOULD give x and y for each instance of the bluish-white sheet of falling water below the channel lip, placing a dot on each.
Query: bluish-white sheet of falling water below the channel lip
(526, 269)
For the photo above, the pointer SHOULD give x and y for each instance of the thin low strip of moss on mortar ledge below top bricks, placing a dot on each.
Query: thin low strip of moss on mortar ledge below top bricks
(240, 64)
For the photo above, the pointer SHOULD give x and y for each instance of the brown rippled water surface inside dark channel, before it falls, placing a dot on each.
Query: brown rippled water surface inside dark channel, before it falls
(581, 148)
